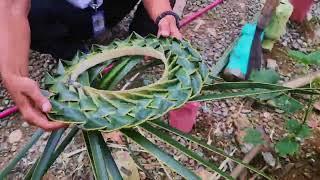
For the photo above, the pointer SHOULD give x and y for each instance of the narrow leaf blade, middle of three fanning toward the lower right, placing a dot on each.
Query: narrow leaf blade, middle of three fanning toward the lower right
(167, 139)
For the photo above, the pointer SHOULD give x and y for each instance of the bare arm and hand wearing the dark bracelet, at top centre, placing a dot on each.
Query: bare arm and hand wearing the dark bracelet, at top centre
(167, 26)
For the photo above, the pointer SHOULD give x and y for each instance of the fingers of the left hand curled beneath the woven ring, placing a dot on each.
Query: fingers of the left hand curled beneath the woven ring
(37, 118)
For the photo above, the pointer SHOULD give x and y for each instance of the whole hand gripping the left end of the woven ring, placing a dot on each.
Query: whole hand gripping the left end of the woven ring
(31, 103)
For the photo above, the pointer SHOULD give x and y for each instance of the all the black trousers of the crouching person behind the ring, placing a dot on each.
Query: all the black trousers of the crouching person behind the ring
(60, 29)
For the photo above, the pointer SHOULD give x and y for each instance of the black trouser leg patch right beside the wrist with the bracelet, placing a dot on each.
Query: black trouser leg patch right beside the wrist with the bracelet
(142, 23)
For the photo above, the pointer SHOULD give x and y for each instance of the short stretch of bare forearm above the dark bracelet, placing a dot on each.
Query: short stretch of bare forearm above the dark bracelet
(156, 7)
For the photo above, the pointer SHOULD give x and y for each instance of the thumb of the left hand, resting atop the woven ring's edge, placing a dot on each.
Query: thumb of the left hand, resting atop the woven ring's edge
(32, 90)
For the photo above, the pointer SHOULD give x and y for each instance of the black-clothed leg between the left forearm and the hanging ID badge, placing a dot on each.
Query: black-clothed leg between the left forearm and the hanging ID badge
(49, 31)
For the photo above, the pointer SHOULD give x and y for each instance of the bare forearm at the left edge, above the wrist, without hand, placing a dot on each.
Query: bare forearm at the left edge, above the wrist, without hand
(15, 38)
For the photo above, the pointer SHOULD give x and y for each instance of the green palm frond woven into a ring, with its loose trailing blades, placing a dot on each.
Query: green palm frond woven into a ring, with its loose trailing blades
(85, 99)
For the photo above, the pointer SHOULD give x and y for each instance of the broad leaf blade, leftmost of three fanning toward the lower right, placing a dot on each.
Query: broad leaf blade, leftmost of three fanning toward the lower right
(159, 154)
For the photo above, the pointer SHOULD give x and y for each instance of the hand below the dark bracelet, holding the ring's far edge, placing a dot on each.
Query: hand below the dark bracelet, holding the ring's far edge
(168, 27)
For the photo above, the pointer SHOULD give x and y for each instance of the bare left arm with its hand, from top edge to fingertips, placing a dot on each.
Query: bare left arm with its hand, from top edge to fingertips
(14, 51)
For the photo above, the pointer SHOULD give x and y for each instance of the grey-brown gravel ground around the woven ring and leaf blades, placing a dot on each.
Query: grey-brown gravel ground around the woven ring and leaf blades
(211, 34)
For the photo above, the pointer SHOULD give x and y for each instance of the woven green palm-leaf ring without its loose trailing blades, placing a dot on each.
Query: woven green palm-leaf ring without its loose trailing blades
(74, 101)
